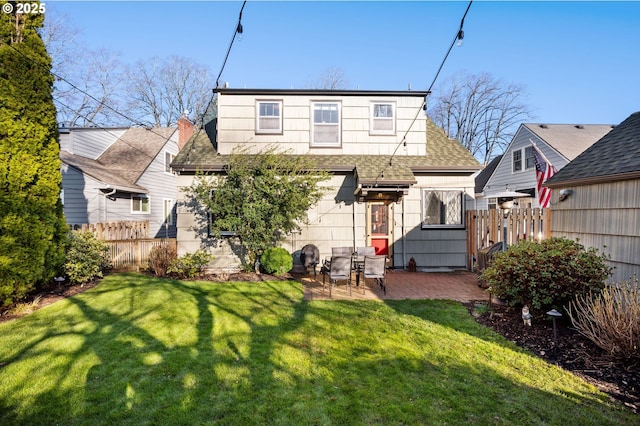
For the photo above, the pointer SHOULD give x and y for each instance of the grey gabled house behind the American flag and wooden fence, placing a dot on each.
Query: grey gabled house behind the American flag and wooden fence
(515, 170)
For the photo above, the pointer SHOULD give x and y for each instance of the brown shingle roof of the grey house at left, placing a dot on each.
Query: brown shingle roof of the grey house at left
(122, 164)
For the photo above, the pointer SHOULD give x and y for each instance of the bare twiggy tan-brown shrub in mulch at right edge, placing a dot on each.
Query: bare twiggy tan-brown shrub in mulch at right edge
(610, 319)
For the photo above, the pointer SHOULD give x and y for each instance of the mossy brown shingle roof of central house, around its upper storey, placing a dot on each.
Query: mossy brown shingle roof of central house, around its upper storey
(443, 155)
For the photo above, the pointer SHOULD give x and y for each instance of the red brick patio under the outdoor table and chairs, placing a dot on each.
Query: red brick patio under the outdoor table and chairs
(461, 286)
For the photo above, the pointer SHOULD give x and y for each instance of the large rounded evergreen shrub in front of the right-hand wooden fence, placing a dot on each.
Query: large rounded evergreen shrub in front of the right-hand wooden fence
(546, 274)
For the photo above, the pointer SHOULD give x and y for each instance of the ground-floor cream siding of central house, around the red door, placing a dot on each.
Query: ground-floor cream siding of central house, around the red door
(338, 220)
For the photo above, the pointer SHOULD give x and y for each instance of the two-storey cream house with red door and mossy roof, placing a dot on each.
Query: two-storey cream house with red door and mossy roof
(397, 182)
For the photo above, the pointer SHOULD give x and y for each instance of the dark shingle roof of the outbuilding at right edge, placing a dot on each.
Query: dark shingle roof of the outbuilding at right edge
(616, 156)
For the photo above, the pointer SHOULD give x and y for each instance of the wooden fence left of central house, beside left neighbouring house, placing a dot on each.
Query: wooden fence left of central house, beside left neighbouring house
(134, 254)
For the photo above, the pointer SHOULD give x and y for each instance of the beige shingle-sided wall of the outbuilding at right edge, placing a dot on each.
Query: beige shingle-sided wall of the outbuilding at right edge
(605, 216)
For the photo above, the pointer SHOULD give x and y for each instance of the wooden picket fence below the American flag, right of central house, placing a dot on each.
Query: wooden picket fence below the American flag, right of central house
(487, 226)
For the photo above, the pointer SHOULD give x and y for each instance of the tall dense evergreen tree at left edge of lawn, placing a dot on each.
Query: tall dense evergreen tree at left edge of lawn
(32, 227)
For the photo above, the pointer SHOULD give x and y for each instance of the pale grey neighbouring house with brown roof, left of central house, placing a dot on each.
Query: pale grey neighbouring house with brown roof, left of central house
(120, 174)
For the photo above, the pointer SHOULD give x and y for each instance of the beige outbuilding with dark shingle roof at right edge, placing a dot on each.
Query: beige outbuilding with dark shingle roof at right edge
(596, 198)
